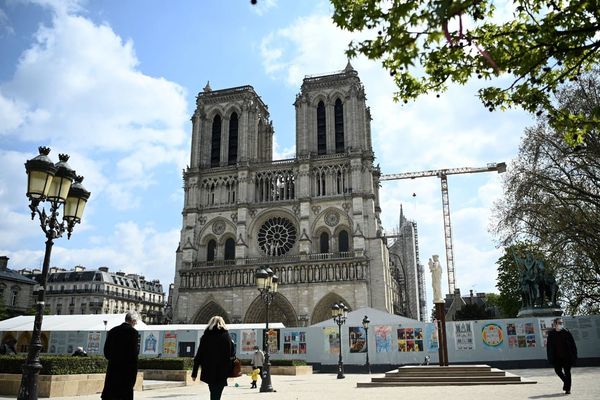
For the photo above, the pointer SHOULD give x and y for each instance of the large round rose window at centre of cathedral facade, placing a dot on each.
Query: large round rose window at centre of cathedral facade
(276, 236)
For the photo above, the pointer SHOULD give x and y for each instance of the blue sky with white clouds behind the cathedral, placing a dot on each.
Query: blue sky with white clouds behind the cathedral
(113, 84)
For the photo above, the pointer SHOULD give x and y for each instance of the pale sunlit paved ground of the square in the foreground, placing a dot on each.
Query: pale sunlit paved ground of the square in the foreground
(586, 385)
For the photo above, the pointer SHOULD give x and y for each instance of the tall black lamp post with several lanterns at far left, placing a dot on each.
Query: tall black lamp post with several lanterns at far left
(59, 186)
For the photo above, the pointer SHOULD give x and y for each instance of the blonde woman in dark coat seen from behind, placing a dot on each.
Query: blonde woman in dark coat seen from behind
(214, 357)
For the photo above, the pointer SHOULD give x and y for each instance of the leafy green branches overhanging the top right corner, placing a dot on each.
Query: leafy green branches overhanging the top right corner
(425, 44)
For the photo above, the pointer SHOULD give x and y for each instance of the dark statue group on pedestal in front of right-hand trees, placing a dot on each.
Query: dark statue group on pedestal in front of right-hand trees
(538, 285)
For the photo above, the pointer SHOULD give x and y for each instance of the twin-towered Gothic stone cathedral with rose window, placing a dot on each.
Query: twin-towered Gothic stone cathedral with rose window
(313, 219)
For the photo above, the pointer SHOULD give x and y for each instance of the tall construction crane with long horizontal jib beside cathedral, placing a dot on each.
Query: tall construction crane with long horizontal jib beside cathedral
(443, 175)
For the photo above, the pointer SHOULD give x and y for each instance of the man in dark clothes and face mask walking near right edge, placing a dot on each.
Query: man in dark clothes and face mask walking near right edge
(562, 352)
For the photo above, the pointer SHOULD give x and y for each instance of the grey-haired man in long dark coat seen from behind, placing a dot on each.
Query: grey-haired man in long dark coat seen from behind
(121, 350)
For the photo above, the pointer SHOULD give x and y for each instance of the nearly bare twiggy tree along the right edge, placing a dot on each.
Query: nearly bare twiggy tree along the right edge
(552, 198)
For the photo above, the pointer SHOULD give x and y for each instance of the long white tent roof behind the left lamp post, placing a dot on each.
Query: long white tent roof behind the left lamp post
(88, 322)
